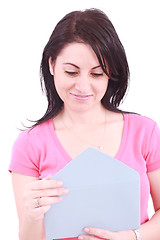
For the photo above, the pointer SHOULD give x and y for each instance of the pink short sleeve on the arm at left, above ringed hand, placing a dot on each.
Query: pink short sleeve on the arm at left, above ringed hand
(23, 158)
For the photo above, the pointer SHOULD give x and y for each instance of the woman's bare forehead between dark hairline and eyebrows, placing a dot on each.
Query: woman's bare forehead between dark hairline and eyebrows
(77, 53)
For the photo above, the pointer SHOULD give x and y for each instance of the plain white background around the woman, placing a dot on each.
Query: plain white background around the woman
(25, 27)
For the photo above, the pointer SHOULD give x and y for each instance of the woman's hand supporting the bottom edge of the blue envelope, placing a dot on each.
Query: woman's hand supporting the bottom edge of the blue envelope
(96, 234)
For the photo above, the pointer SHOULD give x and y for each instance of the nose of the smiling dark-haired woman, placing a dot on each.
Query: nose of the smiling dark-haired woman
(83, 84)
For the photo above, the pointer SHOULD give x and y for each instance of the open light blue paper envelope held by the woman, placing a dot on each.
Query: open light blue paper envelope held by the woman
(103, 193)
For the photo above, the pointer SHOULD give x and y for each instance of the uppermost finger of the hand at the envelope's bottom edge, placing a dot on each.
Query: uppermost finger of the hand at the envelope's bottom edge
(102, 233)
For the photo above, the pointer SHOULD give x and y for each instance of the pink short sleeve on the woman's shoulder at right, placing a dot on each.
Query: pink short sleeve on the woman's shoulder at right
(153, 155)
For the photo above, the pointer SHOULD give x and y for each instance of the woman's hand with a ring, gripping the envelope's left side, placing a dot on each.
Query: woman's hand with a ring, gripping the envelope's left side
(39, 195)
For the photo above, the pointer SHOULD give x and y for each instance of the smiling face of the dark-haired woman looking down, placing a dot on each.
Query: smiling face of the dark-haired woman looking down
(78, 77)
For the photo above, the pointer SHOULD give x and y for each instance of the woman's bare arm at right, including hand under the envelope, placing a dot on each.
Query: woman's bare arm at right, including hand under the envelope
(149, 230)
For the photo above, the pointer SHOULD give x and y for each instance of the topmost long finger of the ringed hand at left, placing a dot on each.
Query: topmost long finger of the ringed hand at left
(44, 184)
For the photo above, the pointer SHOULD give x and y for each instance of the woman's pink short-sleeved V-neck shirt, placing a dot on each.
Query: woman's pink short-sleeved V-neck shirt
(38, 152)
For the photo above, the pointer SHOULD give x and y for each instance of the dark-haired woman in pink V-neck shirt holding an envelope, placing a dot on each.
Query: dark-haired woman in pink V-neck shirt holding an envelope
(85, 75)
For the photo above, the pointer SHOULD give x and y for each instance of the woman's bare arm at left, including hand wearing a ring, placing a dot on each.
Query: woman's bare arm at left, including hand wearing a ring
(31, 218)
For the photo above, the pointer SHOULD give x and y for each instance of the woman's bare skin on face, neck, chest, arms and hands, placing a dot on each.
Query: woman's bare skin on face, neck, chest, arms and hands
(81, 84)
